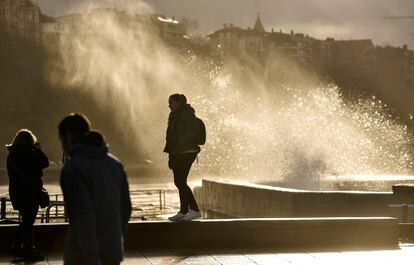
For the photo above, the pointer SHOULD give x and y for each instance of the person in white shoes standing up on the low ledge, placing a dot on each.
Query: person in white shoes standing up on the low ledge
(182, 149)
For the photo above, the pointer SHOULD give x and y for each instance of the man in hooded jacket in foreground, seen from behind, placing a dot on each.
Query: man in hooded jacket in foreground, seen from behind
(96, 193)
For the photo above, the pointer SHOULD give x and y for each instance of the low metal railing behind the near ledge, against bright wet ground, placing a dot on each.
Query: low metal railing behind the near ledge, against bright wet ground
(144, 203)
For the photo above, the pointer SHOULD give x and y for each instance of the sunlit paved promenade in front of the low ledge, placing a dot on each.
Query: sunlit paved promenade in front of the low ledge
(402, 256)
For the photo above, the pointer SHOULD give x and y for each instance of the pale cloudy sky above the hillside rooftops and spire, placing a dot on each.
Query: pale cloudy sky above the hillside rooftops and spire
(340, 19)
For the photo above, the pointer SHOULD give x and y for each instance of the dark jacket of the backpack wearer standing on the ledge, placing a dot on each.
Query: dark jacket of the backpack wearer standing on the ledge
(182, 131)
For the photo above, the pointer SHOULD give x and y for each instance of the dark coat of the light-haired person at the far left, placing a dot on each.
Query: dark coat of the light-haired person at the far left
(24, 167)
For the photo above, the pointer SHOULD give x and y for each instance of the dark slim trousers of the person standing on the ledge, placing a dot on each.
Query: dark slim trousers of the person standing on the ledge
(181, 165)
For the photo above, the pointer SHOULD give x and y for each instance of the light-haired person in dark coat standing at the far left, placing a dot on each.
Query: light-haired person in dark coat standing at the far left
(25, 164)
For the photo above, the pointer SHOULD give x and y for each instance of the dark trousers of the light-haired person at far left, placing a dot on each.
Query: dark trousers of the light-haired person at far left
(25, 232)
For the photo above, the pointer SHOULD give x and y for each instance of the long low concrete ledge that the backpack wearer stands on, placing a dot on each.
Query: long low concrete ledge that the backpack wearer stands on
(295, 232)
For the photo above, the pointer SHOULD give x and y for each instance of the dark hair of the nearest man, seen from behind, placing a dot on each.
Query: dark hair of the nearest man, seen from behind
(76, 123)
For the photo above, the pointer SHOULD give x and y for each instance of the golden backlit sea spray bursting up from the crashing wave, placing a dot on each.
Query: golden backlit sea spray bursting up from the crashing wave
(263, 122)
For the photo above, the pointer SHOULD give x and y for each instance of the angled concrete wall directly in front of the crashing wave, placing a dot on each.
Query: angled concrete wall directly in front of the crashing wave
(221, 199)
